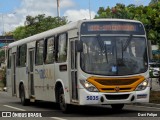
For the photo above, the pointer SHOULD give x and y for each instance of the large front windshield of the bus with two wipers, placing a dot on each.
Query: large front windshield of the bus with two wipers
(114, 55)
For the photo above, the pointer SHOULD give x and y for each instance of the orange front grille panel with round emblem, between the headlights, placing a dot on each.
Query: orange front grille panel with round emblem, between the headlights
(112, 85)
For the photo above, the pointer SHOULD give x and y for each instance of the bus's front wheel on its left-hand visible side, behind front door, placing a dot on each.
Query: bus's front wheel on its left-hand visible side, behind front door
(63, 106)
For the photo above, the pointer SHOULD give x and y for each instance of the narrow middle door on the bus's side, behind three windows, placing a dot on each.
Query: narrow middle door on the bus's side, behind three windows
(31, 74)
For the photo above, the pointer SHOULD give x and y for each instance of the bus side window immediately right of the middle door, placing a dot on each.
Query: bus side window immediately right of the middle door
(39, 52)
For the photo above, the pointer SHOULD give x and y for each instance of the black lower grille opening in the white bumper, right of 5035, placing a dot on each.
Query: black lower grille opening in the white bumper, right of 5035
(117, 97)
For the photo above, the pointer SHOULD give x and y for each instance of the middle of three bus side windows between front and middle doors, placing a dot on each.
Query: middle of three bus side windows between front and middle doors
(50, 51)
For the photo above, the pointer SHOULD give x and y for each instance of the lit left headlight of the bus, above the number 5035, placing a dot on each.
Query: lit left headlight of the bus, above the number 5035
(88, 86)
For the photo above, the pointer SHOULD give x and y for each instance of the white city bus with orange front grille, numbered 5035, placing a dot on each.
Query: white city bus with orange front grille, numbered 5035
(88, 62)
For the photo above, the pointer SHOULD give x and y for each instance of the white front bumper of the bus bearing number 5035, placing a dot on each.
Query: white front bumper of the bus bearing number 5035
(95, 98)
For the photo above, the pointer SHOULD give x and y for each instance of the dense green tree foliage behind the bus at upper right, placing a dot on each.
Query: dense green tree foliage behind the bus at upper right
(148, 15)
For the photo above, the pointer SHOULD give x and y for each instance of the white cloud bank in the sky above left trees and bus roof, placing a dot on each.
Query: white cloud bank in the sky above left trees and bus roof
(48, 7)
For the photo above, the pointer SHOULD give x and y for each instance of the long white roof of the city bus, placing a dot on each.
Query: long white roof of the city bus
(60, 29)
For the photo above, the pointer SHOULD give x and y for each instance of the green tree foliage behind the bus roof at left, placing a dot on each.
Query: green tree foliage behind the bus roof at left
(38, 24)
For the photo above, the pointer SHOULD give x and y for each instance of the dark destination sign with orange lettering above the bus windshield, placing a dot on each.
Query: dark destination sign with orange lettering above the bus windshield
(112, 27)
